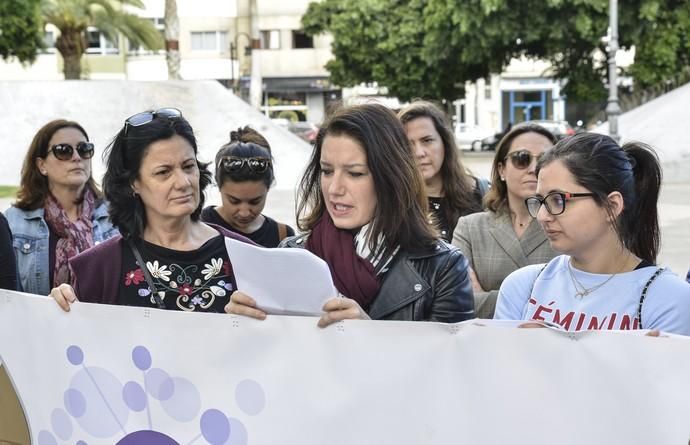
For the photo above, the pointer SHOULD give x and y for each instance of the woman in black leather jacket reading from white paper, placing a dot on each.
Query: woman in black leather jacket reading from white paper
(363, 208)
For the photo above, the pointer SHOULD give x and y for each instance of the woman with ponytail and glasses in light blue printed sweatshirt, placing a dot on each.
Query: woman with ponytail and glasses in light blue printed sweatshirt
(597, 203)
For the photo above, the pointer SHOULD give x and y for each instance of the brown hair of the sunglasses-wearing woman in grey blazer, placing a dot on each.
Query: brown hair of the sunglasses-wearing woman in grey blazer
(496, 198)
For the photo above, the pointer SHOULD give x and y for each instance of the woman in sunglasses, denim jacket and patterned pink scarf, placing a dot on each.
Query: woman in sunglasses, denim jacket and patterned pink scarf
(59, 210)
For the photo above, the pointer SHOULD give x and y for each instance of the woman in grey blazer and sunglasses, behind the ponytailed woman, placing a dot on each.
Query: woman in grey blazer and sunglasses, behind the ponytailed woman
(505, 237)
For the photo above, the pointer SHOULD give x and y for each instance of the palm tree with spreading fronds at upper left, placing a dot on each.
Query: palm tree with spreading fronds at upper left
(73, 17)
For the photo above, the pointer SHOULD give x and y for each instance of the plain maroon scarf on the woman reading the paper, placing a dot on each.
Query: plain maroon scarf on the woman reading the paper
(353, 275)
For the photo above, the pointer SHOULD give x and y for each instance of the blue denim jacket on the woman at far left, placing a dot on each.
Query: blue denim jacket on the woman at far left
(30, 239)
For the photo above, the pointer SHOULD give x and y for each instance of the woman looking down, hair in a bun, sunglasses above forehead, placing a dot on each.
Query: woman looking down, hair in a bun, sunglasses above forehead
(244, 173)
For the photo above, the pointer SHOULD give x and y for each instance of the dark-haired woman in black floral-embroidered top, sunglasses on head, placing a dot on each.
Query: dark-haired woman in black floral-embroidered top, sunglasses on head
(166, 257)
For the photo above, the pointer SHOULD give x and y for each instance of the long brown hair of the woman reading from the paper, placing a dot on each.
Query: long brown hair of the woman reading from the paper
(400, 214)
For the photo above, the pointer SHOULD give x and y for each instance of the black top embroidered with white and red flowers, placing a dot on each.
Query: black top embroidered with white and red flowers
(198, 280)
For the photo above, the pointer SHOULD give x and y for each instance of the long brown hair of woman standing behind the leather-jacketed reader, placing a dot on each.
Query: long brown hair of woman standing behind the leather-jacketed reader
(458, 196)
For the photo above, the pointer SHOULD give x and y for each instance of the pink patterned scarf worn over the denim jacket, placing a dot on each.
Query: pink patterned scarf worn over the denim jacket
(73, 237)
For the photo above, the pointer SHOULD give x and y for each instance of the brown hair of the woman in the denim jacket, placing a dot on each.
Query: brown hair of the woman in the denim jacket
(34, 187)
